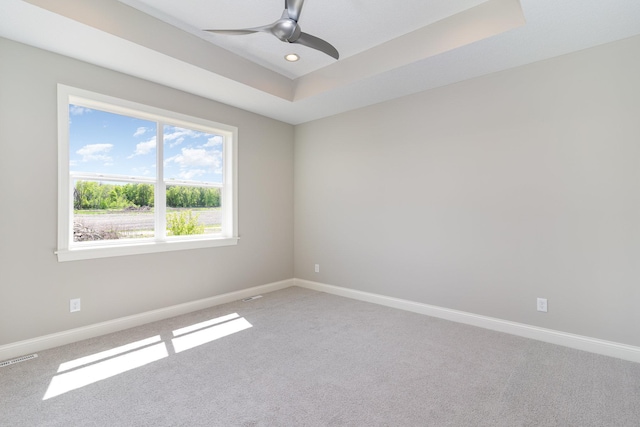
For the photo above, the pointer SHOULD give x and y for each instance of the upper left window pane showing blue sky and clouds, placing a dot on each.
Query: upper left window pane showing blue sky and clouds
(108, 143)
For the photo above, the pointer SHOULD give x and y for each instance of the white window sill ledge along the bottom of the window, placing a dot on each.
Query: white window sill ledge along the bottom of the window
(92, 252)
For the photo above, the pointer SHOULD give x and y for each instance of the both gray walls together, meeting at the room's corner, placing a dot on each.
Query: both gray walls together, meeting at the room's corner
(480, 196)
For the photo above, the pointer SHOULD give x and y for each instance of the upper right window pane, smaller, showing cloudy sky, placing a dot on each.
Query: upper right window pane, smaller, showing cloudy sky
(191, 155)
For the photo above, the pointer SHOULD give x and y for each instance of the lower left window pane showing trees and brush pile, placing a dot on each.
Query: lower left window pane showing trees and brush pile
(105, 210)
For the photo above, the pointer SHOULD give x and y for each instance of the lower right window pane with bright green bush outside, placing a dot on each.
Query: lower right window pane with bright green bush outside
(193, 210)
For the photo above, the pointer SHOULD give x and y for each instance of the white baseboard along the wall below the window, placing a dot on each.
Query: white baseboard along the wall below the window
(21, 348)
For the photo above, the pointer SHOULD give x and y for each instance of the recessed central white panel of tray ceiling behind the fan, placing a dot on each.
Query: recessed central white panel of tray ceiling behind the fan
(350, 26)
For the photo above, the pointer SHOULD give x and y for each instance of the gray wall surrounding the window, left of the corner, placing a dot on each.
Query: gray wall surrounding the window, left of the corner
(35, 289)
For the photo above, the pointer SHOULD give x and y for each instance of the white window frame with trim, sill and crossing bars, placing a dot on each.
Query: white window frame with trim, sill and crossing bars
(68, 250)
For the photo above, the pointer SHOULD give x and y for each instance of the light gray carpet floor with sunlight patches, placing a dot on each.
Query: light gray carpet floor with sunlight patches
(297, 357)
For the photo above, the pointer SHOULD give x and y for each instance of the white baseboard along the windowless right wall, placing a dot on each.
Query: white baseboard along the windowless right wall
(579, 342)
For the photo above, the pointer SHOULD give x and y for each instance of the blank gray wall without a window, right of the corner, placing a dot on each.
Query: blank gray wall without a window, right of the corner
(484, 195)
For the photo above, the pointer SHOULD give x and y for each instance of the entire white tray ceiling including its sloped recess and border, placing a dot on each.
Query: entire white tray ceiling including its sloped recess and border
(387, 49)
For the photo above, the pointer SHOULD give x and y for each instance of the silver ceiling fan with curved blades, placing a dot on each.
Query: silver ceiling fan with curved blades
(287, 30)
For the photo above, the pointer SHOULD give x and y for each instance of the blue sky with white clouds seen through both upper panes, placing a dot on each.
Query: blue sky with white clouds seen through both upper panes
(102, 142)
